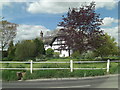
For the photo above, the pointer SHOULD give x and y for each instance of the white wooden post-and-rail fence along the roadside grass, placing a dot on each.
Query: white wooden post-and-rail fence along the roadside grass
(71, 66)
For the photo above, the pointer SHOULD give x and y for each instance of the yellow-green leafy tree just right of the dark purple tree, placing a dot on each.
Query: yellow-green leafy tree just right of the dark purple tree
(108, 48)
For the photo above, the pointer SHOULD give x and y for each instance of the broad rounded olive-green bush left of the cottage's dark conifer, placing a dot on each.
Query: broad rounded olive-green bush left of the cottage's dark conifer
(25, 50)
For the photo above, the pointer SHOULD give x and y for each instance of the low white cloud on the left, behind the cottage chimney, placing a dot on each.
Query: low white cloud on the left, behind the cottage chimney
(27, 32)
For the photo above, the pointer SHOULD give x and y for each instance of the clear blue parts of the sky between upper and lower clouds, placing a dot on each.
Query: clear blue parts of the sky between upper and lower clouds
(18, 13)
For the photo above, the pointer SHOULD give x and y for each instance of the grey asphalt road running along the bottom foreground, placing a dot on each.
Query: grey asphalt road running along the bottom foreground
(100, 82)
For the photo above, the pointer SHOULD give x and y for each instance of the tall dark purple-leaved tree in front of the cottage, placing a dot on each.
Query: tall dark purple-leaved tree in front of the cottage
(81, 28)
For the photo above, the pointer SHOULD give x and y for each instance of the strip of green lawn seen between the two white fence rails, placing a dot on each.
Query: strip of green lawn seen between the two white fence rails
(52, 65)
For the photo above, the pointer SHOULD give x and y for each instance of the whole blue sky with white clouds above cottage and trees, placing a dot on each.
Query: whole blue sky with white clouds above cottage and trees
(34, 16)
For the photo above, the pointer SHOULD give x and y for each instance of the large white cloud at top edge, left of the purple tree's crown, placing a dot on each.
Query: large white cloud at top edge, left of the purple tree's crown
(50, 7)
